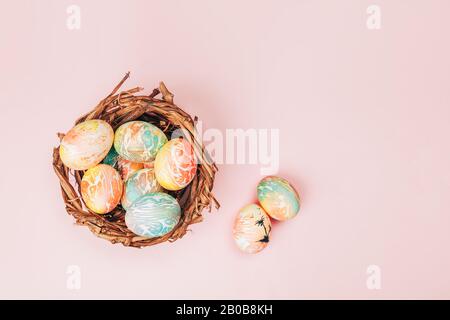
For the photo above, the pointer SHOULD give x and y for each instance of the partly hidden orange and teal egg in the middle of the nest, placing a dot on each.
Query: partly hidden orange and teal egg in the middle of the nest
(141, 182)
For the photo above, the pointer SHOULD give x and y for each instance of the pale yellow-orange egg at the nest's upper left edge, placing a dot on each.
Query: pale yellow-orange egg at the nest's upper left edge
(86, 144)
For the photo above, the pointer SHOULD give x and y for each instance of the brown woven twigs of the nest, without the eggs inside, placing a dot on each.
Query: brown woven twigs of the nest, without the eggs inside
(116, 109)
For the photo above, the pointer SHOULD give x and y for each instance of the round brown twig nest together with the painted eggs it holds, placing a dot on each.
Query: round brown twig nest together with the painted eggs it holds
(143, 125)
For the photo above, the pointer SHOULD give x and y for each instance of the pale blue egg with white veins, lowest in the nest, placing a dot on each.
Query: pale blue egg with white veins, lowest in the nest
(153, 215)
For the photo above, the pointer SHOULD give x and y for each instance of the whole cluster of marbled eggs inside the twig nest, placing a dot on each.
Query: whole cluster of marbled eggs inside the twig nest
(146, 161)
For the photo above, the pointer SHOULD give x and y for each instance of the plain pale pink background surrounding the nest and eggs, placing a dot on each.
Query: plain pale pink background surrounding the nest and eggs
(364, 123)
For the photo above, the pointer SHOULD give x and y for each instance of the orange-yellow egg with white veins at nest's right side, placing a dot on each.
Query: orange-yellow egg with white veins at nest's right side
(175, 164)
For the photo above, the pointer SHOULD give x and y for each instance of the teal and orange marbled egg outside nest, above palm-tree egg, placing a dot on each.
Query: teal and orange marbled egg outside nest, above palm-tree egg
(278, 197)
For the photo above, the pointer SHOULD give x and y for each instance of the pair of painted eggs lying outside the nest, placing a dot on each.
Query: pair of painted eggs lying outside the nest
(278, 200)
